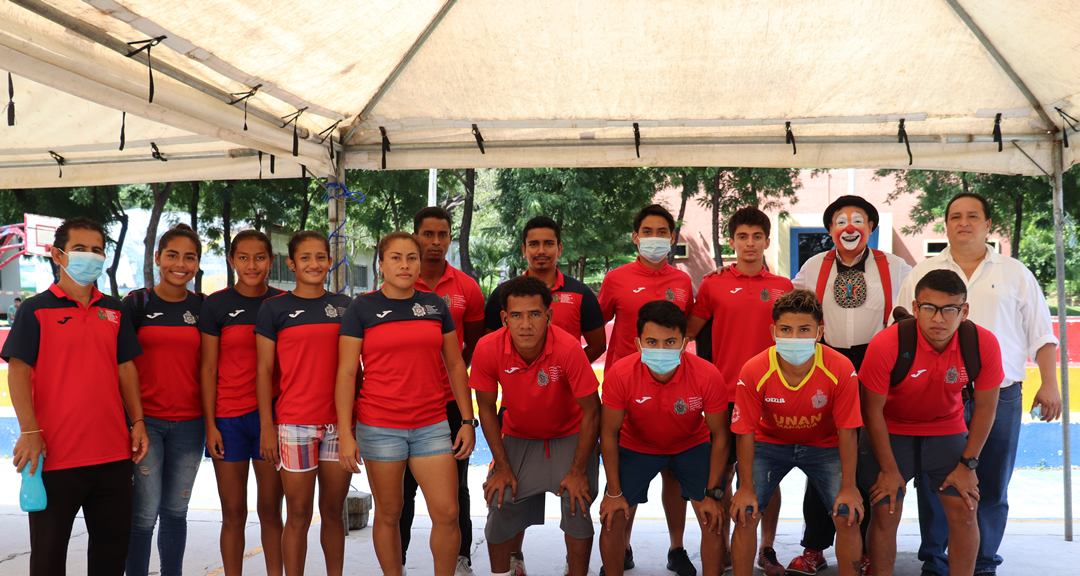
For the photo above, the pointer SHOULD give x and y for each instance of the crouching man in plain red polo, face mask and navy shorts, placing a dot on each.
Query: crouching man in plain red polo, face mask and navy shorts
(660, 409)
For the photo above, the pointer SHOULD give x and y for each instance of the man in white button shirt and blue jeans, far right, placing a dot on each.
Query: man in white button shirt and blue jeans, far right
(1005, 299)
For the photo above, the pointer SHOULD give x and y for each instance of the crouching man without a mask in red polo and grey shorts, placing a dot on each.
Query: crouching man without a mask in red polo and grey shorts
(547, 441)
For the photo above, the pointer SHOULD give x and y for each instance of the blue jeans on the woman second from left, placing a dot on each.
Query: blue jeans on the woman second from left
(164, 483)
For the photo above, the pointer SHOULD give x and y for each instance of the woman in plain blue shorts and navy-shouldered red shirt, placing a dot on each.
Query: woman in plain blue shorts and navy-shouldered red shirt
(232, 411)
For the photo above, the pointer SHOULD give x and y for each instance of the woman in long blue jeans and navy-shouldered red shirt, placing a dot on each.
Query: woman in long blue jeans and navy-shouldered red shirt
(165, 318)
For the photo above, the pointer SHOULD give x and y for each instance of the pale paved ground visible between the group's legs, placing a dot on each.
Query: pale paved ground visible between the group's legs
(1034, 542)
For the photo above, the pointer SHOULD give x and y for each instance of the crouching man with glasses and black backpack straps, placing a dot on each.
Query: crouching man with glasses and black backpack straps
(914, 417)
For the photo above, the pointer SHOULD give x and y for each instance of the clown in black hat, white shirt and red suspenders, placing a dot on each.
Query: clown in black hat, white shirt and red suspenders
(857, 287)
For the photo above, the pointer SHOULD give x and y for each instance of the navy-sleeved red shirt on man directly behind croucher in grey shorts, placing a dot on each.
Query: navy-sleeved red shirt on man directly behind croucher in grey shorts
(574, 307)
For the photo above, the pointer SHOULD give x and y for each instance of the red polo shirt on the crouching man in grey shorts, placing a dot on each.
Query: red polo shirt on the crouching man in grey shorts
(541, 399)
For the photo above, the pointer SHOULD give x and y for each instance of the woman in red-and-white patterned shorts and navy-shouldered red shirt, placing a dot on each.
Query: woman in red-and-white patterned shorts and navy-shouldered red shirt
(299, 331)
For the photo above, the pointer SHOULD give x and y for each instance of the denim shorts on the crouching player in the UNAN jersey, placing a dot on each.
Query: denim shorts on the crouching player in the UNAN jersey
(821, 466)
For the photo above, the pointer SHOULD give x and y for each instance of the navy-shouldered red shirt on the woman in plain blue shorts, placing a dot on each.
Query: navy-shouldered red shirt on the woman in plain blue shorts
(231, 317)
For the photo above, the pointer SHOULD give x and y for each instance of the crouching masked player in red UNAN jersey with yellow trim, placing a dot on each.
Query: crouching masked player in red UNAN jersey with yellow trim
(798, 407)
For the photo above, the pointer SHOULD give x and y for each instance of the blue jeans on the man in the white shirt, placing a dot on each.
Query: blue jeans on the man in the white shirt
(996, 465)
